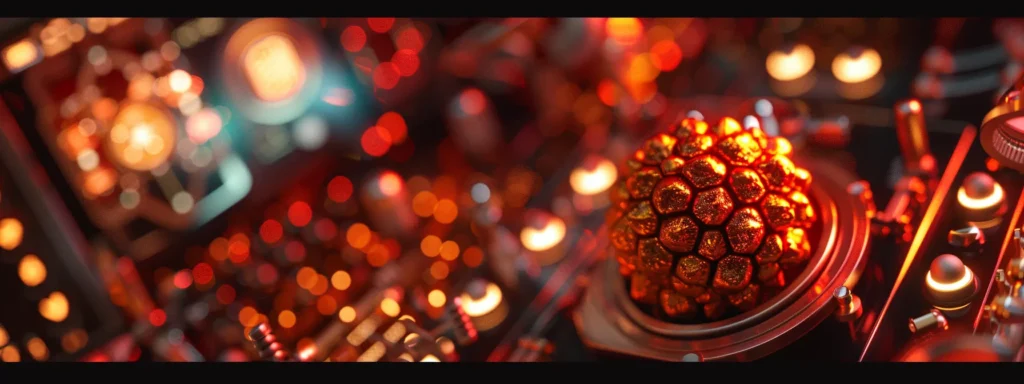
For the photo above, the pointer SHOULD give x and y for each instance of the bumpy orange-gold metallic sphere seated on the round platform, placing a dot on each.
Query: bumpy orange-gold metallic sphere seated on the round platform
(707, 217)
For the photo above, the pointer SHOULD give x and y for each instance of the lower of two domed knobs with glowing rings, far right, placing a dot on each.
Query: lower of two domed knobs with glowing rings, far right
(951, 285)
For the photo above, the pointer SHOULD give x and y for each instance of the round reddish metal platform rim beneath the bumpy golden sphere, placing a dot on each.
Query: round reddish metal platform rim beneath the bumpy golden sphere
(610, 321)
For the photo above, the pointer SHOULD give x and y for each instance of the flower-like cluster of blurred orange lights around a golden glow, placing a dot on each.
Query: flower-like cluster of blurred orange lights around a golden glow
(140, 134)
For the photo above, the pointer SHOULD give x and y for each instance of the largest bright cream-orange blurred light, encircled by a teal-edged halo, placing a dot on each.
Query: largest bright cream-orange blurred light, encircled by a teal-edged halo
(274, 69)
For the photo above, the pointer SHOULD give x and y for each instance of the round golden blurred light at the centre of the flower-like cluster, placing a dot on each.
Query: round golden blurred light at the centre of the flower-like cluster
(143, 137)
